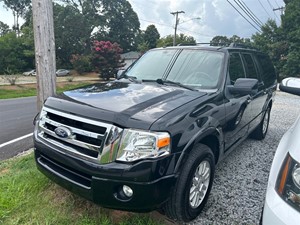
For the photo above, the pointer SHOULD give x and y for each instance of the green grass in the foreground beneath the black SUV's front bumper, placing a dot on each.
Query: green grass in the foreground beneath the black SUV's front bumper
(28, 197)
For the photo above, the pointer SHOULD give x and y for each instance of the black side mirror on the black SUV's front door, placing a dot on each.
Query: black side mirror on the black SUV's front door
(244, 86)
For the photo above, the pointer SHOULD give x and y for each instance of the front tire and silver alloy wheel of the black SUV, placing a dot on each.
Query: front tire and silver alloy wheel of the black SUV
(193, 186)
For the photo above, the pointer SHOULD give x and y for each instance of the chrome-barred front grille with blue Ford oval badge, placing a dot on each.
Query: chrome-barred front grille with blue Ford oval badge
(82, 137)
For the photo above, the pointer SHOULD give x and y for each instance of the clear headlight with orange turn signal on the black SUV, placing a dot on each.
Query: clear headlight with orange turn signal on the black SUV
(137, 145)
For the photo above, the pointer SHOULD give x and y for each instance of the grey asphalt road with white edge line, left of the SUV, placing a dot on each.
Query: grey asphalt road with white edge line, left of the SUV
(16, 116)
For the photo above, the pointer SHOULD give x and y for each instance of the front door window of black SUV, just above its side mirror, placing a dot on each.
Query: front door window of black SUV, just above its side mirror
(236, 68)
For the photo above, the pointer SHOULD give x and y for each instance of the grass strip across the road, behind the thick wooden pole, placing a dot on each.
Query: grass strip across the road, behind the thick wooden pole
(26, 90)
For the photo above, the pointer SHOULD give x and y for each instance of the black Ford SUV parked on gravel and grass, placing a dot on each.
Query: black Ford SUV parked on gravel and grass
(151, 138)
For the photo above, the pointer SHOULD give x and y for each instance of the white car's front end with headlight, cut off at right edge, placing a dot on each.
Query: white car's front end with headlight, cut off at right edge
(282, 204)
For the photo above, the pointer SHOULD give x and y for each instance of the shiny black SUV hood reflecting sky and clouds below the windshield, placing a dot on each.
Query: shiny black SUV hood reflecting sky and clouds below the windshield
(126, 103)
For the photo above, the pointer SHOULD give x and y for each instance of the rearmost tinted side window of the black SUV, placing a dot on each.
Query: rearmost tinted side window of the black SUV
(268, 74)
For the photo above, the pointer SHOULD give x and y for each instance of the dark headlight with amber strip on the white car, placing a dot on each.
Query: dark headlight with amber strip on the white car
(288, 182)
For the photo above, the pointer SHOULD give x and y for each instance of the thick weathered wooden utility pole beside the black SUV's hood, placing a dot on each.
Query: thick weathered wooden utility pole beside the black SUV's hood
(44, 42)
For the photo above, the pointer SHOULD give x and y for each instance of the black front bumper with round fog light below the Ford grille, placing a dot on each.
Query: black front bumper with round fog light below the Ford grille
(150, 180)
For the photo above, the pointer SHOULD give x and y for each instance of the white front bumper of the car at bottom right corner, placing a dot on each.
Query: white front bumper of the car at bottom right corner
(278, 212)
